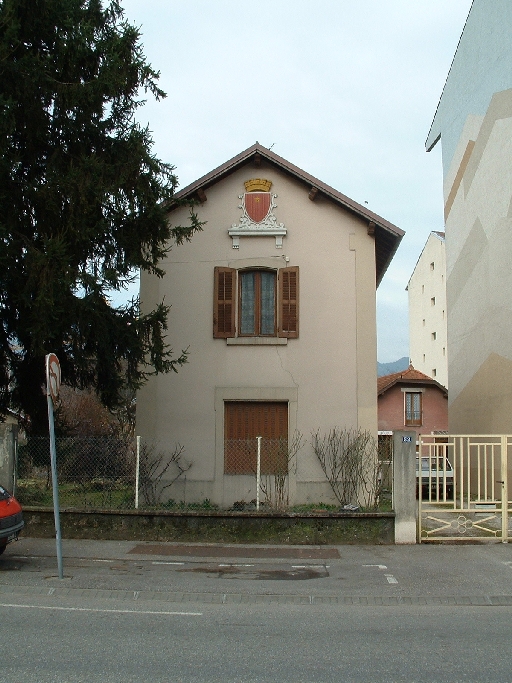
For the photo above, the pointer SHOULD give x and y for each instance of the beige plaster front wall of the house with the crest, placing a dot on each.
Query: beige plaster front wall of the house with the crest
(327, 375)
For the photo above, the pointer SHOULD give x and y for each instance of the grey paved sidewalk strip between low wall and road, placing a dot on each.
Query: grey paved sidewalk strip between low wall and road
(162, 573)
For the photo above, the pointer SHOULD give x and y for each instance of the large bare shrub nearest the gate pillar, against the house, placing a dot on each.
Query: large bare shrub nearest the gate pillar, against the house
(349, 460)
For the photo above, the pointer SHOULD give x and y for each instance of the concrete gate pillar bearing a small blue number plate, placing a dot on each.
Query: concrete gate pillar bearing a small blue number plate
(404, 486)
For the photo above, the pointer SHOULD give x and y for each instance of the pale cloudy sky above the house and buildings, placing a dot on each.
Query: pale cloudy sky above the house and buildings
(344, 89)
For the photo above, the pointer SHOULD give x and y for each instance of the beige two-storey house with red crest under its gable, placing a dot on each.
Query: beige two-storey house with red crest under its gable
(275, 301)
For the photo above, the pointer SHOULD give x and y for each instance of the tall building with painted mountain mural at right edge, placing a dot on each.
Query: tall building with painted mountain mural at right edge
(473, 122)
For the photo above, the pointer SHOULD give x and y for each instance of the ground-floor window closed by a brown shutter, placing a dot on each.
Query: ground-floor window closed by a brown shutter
(246, 420)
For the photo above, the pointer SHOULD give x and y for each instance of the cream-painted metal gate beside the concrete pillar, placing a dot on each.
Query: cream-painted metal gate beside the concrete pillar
(462, 487)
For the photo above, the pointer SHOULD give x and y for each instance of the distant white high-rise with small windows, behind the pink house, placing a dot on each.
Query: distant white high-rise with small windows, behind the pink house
(427, 311)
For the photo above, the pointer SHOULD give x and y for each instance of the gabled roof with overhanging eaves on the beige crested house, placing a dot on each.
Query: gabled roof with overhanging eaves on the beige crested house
(387, 235)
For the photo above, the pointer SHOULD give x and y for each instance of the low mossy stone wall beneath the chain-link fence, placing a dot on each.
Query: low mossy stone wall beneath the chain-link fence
(215, 527)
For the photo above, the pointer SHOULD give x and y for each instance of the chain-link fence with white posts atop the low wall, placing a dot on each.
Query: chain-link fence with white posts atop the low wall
(116, 474)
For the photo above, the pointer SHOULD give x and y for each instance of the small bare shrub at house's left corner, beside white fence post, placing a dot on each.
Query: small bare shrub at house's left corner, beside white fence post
(158, 471)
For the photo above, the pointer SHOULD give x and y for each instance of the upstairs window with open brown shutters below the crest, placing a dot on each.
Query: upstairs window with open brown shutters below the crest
(256, 303)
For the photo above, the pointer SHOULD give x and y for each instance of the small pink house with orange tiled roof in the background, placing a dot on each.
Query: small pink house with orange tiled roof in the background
(413, 401)
